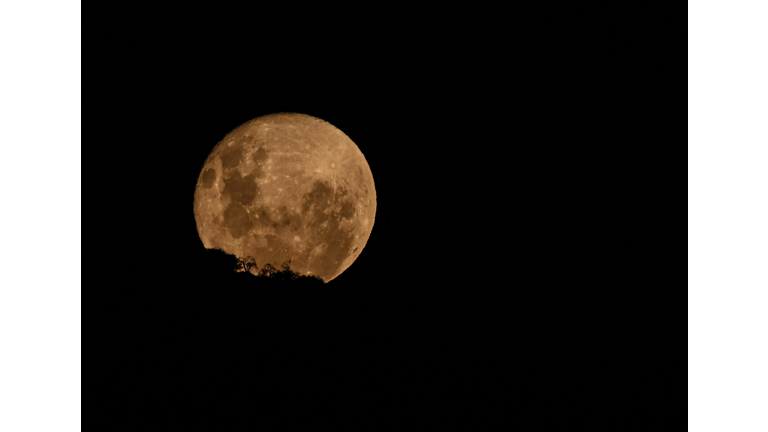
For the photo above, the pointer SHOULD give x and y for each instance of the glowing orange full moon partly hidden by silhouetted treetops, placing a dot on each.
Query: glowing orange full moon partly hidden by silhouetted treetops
(287, 186)
